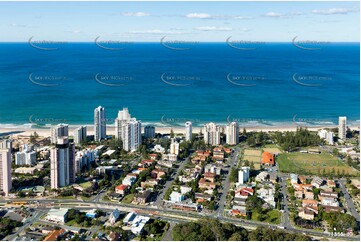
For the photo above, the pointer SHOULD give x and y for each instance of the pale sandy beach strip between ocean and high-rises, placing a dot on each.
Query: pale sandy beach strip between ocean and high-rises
(45, 132)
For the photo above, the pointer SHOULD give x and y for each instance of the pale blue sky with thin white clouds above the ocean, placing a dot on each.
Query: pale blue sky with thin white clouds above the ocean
(188, 21)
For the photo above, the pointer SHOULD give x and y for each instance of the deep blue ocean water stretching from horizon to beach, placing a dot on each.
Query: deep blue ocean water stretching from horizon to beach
(276, 83)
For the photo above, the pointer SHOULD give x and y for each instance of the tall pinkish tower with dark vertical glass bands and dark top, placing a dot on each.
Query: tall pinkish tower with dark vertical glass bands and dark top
(62, 163)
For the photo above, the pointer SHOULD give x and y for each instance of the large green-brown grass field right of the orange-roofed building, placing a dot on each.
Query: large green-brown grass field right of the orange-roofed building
(315, 164)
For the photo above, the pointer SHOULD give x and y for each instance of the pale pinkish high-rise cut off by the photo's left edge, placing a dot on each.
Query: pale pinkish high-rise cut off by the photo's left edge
(5, 166)
